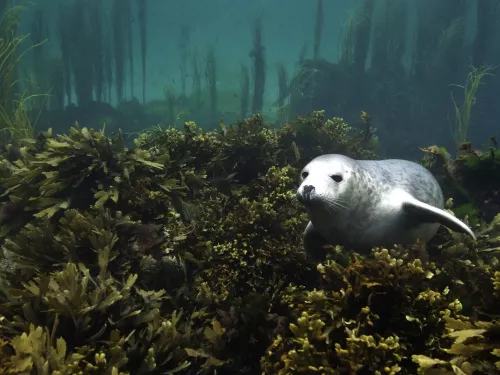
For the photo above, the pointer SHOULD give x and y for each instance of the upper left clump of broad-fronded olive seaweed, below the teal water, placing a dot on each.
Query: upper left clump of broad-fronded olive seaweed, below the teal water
(86, 168)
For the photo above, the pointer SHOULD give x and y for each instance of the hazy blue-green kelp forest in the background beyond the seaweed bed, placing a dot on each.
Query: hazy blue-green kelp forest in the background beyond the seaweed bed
(419, 83)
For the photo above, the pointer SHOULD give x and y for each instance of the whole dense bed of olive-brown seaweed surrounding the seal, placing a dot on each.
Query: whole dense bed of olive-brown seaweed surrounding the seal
(183, 255)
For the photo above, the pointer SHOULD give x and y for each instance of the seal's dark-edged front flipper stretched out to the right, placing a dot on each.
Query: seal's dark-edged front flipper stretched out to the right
(433, 214)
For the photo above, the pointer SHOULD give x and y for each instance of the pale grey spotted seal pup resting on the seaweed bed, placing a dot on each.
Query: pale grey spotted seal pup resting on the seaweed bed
(362, 204)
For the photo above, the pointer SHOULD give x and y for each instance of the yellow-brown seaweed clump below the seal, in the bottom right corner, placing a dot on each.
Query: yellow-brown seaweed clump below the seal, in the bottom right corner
(380, 313)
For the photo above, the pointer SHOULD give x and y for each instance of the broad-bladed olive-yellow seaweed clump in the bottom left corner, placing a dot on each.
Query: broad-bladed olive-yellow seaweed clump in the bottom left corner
(96, 326)
